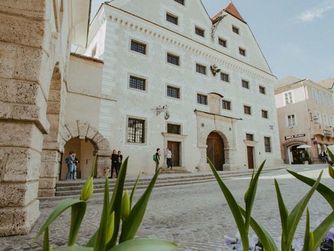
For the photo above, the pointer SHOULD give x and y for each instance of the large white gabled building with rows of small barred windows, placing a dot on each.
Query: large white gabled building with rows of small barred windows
(198, 85)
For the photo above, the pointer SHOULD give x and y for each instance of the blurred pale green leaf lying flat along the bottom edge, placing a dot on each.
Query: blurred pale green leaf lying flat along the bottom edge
(145, 245)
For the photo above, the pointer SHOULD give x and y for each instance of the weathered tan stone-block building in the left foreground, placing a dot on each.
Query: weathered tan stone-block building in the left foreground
(35, 43)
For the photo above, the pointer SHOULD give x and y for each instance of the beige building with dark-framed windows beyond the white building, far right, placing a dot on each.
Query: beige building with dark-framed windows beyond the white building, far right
(305, 117)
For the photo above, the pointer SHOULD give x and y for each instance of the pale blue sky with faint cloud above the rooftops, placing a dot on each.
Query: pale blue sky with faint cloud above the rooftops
(296, 36)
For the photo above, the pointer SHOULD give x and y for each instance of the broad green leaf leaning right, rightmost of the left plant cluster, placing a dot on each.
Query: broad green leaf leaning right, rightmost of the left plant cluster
(132, 223)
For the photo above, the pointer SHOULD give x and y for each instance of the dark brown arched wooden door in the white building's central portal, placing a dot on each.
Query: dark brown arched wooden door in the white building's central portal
(215, 150)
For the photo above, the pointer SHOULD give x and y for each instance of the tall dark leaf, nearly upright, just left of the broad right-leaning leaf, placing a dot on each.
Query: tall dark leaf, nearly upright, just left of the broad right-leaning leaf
(116, 201)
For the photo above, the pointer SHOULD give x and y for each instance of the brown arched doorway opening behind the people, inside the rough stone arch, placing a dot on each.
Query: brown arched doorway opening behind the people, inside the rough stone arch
(86, 152)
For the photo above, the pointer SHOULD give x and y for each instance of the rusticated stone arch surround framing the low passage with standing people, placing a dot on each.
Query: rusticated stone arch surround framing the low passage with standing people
(84, 131)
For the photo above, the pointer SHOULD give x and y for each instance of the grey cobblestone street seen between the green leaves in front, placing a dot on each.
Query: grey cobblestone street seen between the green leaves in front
(195, 216)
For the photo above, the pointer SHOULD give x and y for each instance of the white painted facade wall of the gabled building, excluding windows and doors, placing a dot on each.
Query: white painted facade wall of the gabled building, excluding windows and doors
(120, 62)
